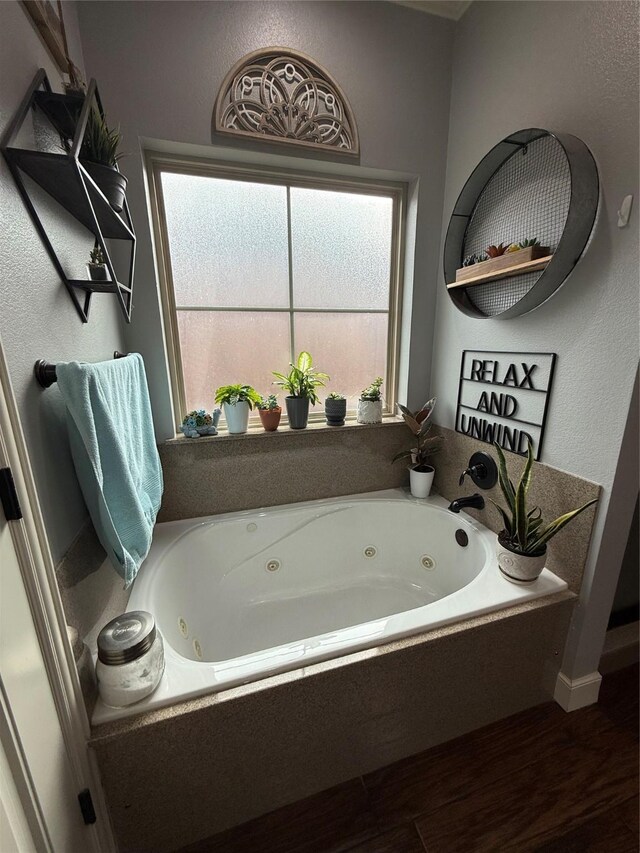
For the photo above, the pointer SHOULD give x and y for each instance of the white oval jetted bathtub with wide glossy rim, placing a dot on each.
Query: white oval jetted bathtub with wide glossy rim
(242, 596)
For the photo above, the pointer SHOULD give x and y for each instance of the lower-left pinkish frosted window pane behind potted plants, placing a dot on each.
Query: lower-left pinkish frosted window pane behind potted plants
(226, 347)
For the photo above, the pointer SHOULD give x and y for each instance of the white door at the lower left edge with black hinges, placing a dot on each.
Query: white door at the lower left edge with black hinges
(32, 741)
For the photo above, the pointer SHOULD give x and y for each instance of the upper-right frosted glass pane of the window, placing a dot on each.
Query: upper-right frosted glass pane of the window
(341, 249)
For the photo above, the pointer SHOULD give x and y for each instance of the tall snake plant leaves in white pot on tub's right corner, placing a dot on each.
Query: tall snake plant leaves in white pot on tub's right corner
(525, 531)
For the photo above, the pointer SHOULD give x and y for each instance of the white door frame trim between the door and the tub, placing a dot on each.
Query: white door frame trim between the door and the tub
(38, 575)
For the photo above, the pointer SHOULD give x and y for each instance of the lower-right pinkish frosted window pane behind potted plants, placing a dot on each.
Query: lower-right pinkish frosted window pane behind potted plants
(351, 348)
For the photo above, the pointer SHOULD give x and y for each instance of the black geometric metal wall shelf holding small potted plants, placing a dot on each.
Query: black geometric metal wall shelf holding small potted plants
(65, 179)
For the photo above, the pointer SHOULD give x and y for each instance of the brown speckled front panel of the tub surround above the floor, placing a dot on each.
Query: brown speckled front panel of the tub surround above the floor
(180, 774)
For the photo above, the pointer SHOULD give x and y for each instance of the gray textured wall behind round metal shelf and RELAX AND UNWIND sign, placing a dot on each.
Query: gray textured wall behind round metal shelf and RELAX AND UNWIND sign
(570, 66)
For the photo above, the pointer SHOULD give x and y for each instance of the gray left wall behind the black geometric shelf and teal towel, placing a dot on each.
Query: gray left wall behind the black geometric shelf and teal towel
(37, 318)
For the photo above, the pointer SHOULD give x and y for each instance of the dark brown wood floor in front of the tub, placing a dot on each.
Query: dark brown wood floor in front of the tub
(542, 780)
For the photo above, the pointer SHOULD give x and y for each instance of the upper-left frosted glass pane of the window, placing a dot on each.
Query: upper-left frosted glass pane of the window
(228, 242)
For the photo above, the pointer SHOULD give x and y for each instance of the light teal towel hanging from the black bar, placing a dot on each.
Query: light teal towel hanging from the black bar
(115, 455)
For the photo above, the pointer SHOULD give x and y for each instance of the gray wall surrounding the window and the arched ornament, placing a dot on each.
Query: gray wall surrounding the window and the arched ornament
(393, 63)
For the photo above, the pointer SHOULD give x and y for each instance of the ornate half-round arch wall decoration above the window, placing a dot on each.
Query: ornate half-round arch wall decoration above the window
(285, 96)
